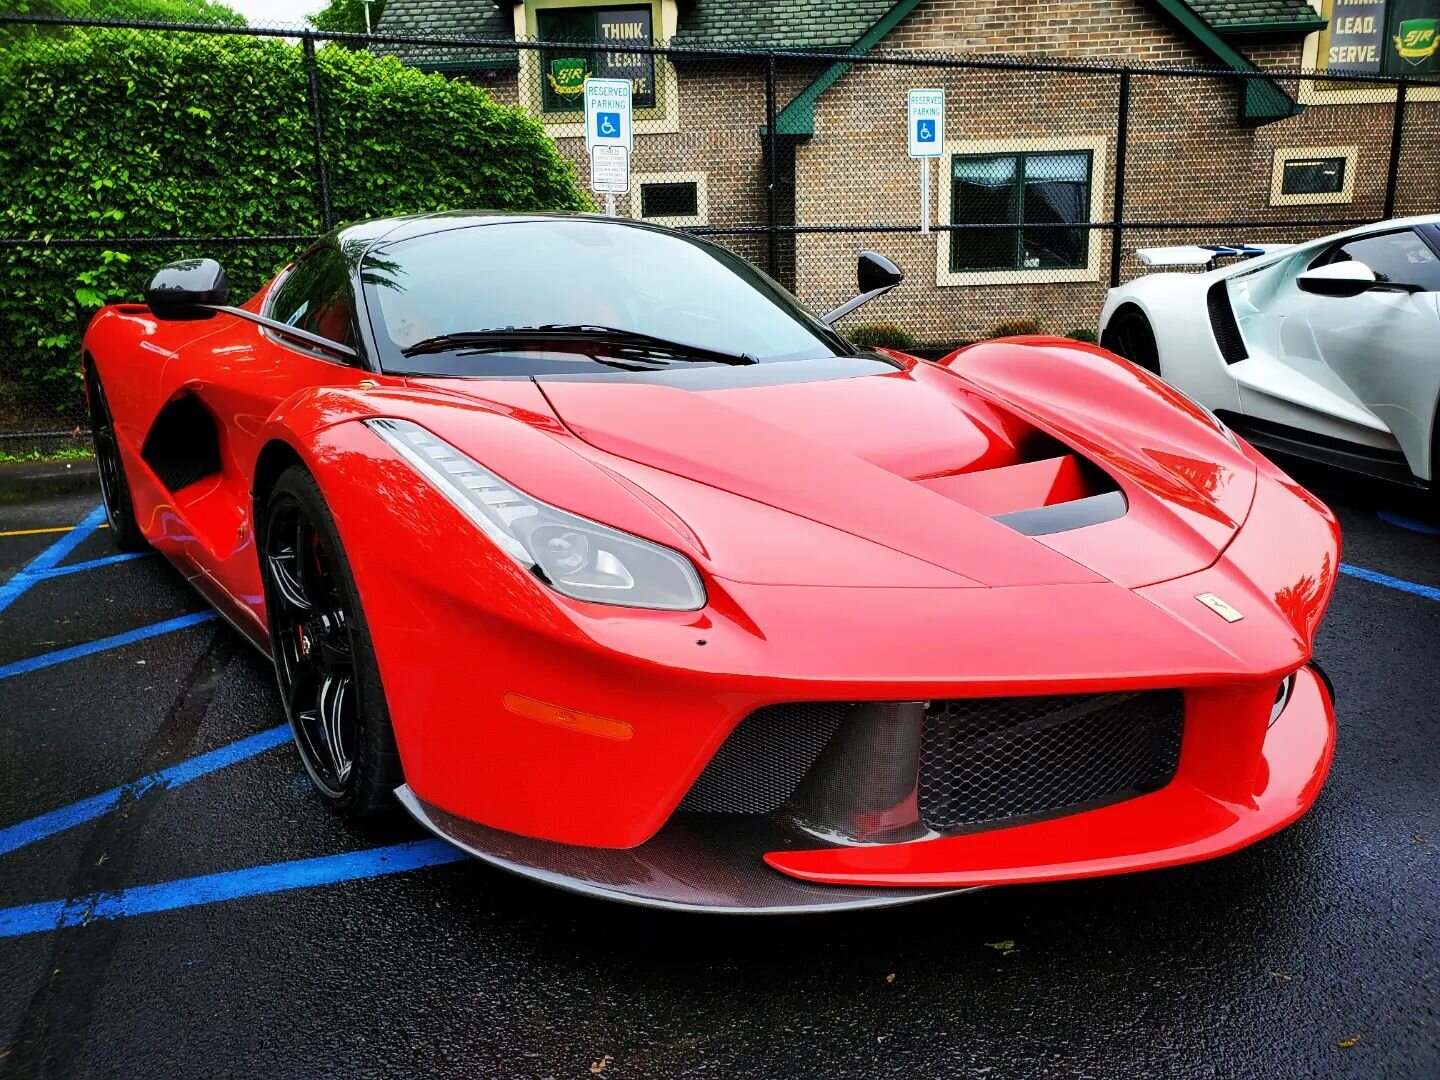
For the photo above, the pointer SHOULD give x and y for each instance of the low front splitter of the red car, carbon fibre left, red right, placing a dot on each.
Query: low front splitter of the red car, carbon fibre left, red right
(1223, 797)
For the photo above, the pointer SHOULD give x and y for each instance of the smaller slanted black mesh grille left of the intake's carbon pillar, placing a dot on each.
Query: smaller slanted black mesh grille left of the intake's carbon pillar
(765, 758)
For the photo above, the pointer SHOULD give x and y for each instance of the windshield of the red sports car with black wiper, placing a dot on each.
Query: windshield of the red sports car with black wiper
(575, 273)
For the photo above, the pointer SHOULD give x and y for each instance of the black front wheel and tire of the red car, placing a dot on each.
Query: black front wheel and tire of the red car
(325, 663)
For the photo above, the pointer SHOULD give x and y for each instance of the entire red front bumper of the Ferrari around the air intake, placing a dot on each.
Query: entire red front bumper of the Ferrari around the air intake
(620, 712)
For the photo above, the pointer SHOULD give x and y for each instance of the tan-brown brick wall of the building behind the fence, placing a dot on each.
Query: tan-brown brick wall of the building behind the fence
(1187, 155)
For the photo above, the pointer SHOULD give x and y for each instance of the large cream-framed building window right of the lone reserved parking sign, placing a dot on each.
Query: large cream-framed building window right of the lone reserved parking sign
(1043, 192)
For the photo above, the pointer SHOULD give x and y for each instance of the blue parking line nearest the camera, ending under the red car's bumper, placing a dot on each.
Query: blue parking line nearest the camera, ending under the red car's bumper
(231, 885)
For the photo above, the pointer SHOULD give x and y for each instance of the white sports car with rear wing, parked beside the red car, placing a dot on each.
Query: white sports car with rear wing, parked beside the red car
(1328, 351)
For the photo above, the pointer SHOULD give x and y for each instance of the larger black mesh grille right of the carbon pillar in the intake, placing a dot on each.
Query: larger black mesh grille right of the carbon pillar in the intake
(987, 760)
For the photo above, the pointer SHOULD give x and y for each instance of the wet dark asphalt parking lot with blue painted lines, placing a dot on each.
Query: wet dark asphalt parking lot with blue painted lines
(175, 902)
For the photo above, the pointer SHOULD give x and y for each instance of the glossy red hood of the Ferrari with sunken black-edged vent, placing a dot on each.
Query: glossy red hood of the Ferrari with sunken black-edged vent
(873, 457)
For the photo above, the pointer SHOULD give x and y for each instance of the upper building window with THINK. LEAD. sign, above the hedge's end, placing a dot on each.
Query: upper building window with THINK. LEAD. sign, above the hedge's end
(598, 34)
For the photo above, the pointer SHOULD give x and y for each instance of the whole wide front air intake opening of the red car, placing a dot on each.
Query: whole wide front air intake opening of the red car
(967, 764)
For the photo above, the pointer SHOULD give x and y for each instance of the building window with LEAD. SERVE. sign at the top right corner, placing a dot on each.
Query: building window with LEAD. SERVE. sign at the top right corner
(1380, 37)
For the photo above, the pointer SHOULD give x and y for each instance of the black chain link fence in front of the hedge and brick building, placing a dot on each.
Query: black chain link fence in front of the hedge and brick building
(1053, 174)
